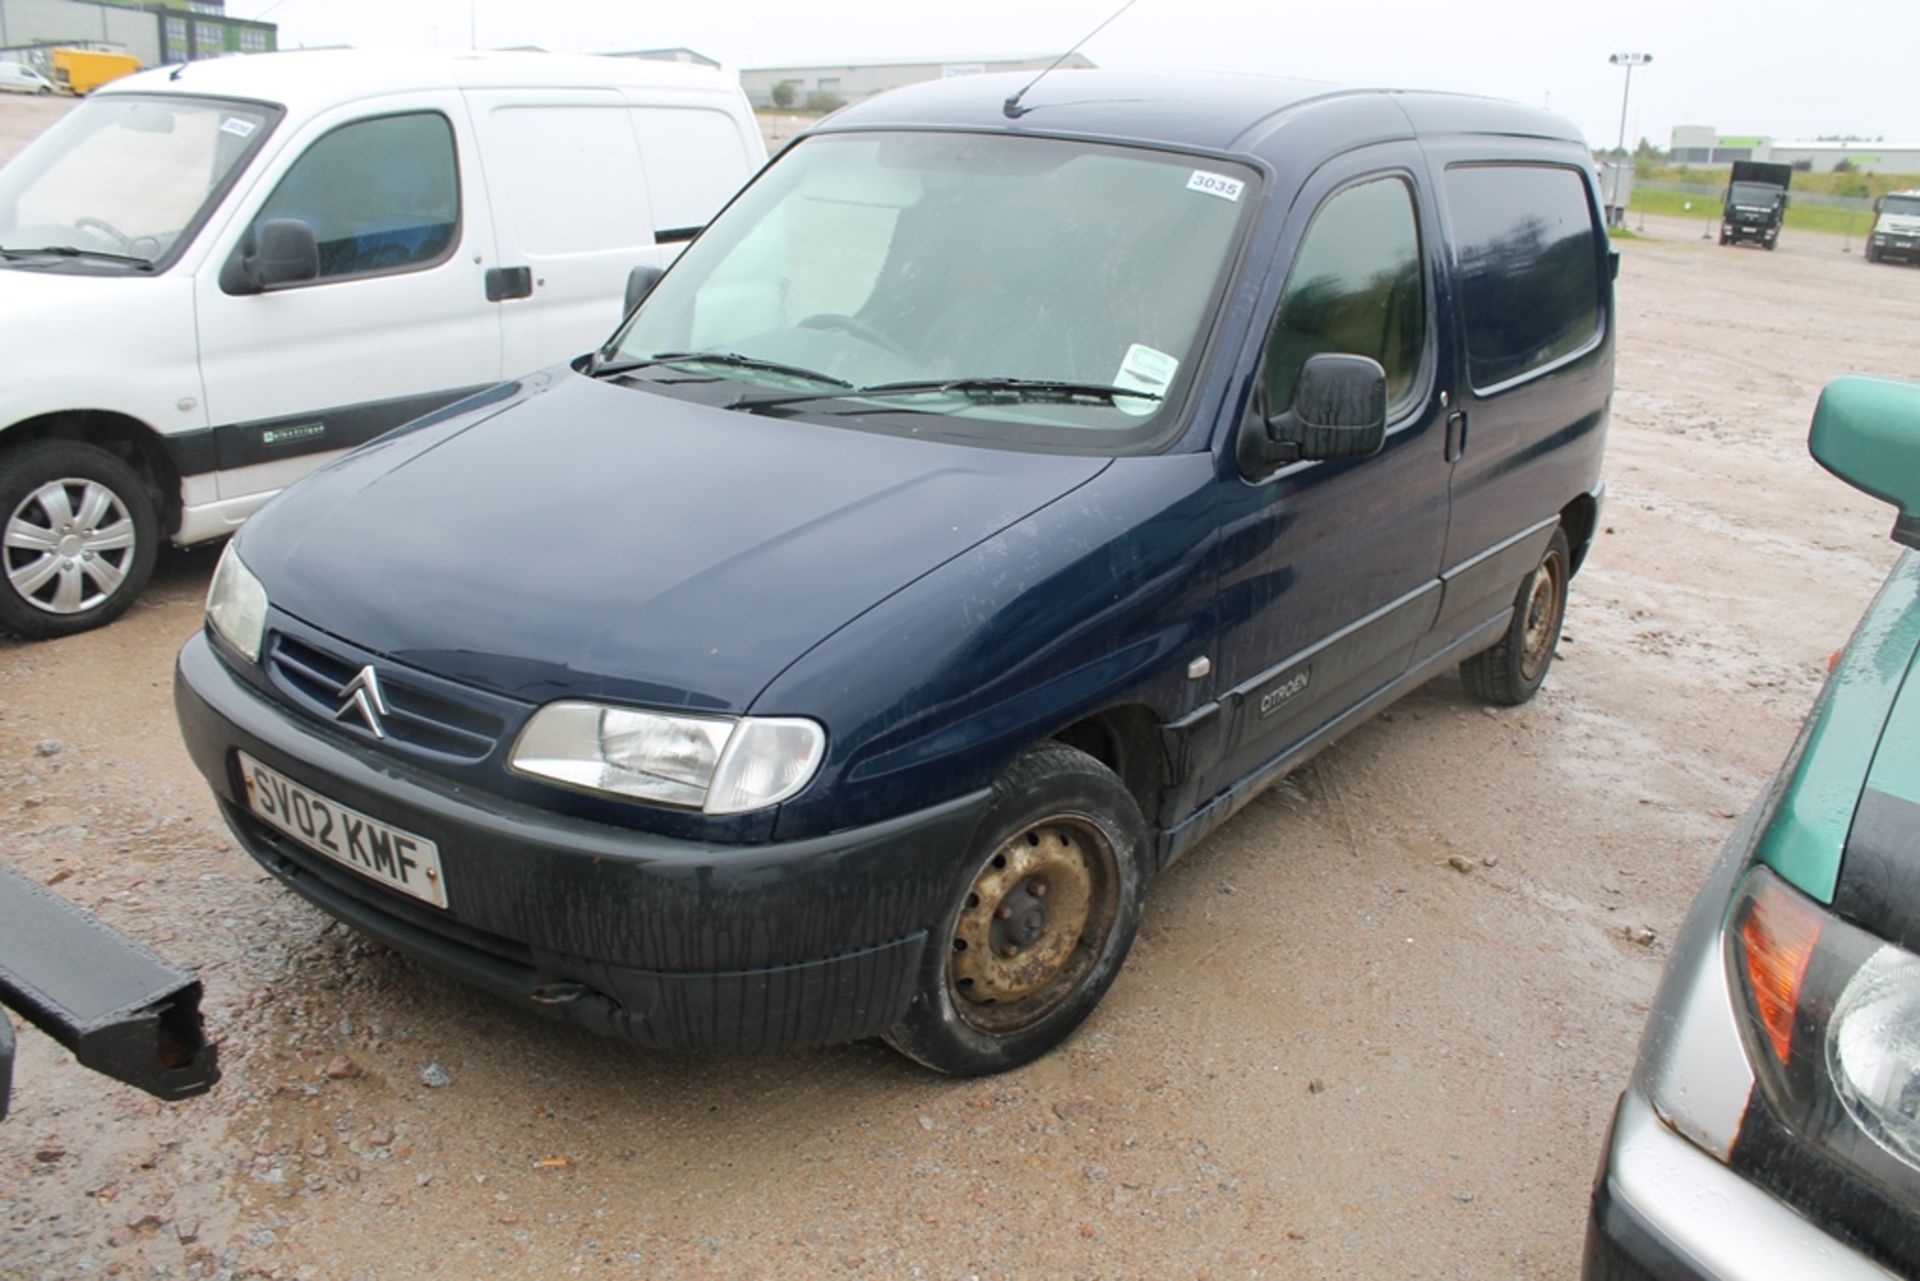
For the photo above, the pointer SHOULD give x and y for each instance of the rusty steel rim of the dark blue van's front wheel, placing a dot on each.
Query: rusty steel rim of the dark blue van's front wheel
(1034, 925)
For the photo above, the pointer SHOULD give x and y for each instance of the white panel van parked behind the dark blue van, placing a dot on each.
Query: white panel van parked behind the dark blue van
(220, 276)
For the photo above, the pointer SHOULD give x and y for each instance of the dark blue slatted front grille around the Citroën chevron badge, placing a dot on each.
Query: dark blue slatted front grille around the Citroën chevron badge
(421, 713)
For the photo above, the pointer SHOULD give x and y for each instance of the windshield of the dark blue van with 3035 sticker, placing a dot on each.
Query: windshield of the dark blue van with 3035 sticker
(1026, 291)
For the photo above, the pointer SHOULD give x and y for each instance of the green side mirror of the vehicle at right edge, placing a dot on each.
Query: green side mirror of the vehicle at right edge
(1867, 431)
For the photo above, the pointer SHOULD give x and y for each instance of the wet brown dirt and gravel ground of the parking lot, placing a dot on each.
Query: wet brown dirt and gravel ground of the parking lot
(1332, 1055)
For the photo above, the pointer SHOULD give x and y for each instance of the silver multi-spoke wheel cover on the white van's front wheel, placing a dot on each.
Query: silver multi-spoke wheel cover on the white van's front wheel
(68, 546)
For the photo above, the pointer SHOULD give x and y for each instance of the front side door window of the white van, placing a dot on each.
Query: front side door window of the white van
(379, 195)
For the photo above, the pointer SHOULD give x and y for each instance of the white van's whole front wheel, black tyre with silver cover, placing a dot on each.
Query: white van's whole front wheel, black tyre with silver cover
(78, 539)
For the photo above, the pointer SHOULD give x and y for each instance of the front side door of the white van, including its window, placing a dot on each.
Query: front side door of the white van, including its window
(398, 320)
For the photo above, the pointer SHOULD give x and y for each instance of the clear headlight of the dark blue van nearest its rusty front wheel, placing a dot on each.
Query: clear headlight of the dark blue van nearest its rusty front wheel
(721, 765)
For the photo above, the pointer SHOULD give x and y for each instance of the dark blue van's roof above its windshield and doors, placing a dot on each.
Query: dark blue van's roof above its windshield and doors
(1218, 112)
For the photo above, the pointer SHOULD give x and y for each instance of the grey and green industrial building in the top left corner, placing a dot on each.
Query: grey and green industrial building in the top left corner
(155, 32)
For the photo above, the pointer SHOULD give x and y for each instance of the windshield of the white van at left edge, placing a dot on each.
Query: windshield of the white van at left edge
(124, 176)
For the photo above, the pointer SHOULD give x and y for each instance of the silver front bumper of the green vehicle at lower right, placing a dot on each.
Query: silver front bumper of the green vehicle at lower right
(1666, 1211)
